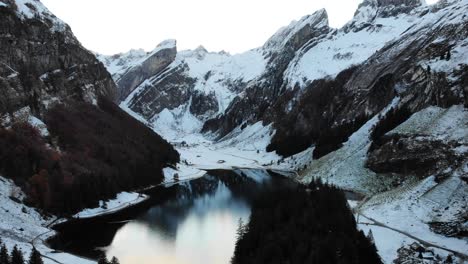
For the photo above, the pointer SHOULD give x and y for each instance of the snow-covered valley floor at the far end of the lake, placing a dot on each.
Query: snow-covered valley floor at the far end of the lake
(242, 148)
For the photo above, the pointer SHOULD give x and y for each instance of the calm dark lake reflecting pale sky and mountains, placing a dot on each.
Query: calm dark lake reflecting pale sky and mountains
(190, 223)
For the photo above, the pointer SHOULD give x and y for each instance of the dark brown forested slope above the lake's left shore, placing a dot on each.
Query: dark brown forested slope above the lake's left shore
(102, 151)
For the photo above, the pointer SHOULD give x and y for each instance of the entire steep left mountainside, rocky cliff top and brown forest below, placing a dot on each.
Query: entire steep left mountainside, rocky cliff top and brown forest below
(48, 80)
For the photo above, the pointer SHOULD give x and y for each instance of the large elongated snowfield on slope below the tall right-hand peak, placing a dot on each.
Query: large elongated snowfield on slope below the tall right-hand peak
(342, 49)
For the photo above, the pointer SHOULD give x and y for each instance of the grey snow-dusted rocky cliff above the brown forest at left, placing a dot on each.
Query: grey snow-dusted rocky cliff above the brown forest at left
(41, 62)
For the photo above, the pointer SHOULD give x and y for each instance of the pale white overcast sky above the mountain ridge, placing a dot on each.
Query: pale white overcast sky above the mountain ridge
(112, 26)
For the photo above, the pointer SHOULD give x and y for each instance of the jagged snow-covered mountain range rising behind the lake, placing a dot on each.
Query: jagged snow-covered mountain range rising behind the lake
(220, 92)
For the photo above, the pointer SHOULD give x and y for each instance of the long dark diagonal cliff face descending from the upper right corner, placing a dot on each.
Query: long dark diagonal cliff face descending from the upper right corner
(409, 67)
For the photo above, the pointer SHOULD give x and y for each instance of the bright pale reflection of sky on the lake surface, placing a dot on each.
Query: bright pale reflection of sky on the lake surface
(203, 236)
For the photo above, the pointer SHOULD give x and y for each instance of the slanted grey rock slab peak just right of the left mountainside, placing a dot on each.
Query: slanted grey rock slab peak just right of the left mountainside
(158, 61)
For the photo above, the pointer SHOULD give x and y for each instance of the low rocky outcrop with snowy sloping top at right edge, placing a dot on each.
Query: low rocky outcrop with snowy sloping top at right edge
(433, 141)
